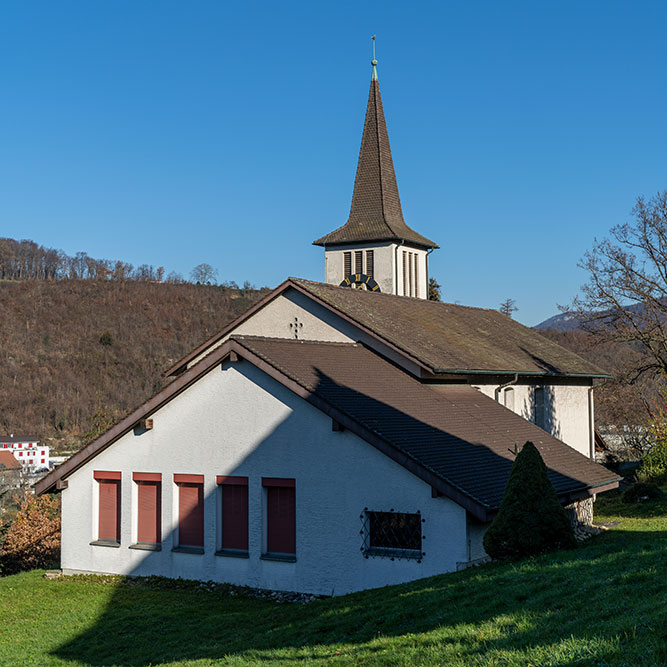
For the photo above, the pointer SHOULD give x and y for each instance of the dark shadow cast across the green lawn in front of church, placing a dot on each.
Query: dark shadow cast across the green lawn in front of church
(604, 601)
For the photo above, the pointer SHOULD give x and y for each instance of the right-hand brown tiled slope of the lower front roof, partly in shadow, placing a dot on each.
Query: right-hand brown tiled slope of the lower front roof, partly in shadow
(462, 436)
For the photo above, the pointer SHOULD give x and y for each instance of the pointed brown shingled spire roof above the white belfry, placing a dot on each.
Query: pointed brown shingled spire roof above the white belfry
(375, 214)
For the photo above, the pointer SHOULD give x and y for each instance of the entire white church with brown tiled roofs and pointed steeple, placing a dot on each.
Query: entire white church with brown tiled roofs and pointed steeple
(333, 439)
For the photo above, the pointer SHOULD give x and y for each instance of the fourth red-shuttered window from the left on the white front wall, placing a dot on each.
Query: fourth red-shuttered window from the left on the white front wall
(233, 498)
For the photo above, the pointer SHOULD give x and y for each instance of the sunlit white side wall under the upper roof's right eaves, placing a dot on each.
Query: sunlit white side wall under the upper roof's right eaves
(568, 410)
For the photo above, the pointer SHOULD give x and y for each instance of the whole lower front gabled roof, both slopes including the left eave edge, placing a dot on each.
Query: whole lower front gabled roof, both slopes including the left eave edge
(453, 437)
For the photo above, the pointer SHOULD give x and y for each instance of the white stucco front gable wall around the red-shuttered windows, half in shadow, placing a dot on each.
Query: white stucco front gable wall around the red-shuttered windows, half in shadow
(238, 421)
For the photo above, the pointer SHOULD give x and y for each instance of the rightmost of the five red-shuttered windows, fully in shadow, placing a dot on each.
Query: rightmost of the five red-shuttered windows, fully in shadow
(280, 518)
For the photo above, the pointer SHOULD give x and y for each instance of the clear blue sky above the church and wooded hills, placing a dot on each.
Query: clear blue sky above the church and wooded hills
(174, 133)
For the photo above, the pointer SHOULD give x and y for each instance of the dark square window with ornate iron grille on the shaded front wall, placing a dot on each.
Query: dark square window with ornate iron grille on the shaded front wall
(392, 535)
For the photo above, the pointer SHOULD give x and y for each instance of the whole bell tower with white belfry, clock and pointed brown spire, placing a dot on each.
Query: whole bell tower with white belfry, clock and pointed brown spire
(375, 249)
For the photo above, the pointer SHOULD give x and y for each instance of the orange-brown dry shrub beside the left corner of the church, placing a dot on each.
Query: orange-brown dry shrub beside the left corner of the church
(33, 539)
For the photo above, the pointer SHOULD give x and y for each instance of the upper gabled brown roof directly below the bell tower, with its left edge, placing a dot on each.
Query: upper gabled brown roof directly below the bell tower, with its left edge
(439, 337)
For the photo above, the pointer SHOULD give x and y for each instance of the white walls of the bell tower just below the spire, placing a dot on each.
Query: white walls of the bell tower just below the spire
(388, 257)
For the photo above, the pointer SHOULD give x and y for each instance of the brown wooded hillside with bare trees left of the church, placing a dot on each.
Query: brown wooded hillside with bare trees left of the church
(78, 354)
